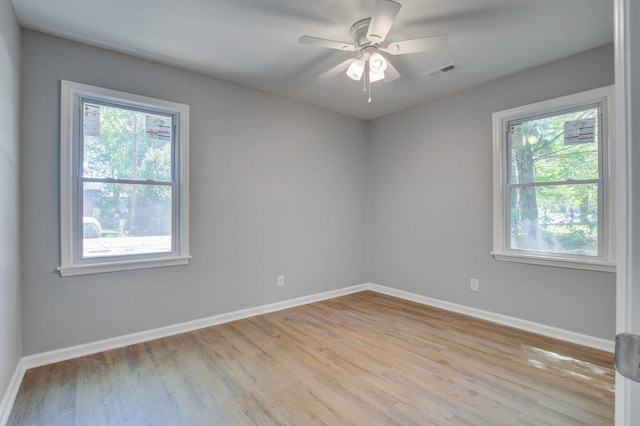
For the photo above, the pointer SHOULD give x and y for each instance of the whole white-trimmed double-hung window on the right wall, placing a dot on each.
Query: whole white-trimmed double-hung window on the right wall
(553, 186)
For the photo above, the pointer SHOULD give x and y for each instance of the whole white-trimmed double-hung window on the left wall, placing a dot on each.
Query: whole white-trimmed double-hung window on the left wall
(124, 193)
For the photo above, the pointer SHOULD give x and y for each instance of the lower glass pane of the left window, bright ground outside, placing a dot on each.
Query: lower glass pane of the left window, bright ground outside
(126, 219)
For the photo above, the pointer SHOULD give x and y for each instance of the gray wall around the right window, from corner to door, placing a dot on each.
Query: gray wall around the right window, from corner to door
(430, 204)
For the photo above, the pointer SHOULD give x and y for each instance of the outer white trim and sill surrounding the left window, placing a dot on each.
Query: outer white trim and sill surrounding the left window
(69, 133)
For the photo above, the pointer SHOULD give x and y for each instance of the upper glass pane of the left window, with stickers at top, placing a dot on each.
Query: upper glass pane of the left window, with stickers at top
(126, 144)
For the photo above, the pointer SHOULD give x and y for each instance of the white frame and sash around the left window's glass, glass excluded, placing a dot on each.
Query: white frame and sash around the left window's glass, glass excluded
(71, 261)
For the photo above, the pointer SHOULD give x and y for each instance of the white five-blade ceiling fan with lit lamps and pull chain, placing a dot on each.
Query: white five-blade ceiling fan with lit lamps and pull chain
(368, 41)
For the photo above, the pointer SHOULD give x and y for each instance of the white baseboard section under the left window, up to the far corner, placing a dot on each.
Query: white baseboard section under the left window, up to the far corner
(64, 354)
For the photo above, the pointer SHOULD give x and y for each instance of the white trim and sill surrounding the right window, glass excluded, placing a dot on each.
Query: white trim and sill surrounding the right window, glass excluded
(606, 262)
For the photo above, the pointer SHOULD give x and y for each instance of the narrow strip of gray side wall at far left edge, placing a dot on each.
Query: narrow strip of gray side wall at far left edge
(10, 327)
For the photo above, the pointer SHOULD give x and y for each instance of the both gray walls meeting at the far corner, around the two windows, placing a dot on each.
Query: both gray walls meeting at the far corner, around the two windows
(279, 187)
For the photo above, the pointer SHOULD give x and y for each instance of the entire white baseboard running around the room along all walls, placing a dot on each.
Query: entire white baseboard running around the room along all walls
(64, 354)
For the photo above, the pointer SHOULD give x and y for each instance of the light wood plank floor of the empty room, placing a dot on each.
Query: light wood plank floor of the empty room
(361, 359)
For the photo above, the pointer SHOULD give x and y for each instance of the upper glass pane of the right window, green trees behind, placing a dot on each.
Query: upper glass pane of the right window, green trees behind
(556, 148)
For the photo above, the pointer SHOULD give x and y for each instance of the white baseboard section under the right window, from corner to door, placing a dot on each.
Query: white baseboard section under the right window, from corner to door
(534, 327)
